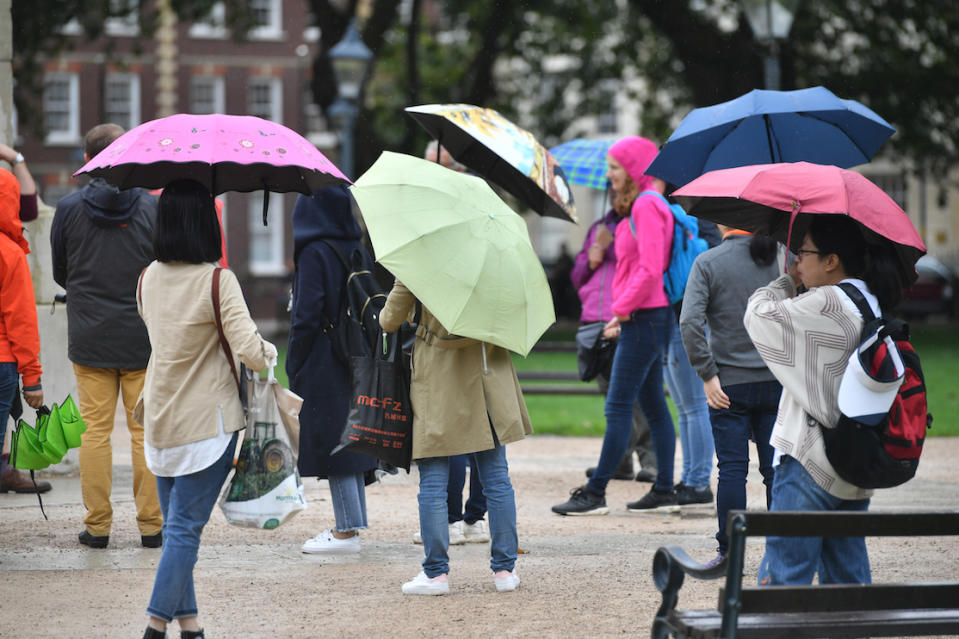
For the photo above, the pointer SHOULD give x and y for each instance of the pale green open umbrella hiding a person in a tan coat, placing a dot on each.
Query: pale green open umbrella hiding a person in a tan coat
(459, 248)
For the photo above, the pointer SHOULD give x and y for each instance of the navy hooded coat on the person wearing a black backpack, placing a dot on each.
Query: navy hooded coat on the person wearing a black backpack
(315, 374)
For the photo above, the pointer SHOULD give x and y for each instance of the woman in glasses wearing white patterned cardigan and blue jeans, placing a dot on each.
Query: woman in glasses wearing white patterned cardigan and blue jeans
(806, 340)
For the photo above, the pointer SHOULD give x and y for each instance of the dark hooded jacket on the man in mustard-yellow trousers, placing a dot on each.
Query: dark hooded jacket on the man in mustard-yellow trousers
(102, 238)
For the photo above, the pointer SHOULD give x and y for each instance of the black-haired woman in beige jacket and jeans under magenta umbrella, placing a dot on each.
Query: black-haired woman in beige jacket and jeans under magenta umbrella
(191, 409)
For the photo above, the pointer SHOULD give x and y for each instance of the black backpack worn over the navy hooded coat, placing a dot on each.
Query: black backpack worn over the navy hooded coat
(356, 331)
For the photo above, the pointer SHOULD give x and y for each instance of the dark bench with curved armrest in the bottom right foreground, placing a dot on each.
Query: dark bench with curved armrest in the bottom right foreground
(876, 610)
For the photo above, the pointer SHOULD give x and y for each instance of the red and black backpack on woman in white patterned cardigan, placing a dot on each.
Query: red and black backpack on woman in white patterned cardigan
(887, 454)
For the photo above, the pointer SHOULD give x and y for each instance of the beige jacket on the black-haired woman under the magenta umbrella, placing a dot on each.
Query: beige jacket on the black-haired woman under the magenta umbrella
(188, 379)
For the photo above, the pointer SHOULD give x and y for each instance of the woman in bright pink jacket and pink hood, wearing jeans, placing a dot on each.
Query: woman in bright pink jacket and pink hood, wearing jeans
(641, 316)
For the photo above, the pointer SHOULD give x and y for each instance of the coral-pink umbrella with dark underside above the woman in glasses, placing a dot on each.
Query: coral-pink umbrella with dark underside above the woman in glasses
(778, 200)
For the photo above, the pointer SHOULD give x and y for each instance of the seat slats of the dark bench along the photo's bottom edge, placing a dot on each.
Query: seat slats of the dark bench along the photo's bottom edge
(705, 624)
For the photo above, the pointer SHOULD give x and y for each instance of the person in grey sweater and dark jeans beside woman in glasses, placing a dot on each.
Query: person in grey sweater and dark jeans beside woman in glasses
(742, 393)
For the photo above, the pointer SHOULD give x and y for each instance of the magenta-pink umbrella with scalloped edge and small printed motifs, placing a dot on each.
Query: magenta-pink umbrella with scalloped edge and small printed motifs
(222, 152)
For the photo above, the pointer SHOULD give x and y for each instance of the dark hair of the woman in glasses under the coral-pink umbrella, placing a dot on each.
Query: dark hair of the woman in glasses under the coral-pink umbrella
(874, 263)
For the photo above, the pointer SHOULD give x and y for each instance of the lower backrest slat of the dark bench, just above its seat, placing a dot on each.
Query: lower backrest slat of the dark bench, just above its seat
(852, 597)
